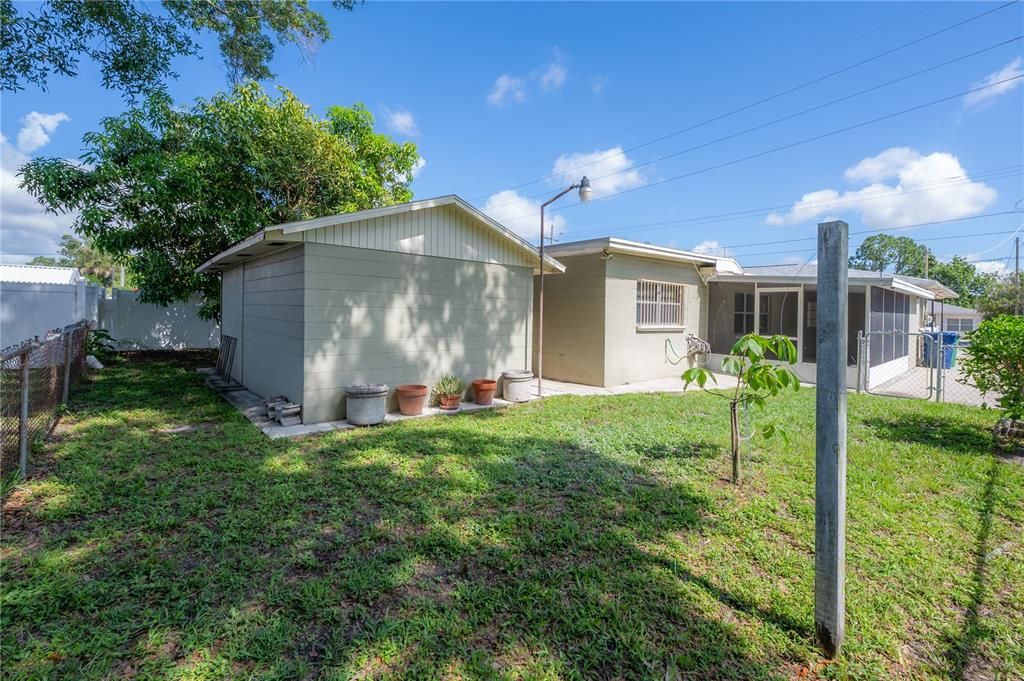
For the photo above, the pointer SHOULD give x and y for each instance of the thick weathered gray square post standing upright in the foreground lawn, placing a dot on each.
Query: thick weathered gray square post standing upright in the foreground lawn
(830, 457)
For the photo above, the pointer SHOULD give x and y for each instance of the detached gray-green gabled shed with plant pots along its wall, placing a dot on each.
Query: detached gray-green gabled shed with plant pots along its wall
(392, 295)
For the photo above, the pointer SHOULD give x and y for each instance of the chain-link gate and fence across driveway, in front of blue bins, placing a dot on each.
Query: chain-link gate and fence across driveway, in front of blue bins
(922, 365)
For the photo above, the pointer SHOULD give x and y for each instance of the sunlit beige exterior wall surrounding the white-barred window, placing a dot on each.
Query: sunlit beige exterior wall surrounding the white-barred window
(633, 355)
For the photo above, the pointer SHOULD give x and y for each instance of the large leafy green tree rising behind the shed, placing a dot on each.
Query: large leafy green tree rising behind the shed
(164, 189)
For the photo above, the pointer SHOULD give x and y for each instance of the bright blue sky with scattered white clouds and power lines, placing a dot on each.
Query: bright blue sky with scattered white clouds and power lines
(497, 96)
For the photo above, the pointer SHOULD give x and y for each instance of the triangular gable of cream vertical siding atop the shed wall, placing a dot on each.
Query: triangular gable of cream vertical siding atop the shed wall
(445, 232)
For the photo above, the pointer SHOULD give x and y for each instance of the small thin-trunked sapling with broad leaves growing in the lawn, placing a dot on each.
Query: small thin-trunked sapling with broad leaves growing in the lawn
(754, 362)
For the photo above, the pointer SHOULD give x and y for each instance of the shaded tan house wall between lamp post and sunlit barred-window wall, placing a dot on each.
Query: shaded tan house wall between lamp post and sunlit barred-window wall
(574, 322)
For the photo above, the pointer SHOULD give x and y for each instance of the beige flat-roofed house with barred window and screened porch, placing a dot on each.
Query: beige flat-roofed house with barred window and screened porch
(626, 312)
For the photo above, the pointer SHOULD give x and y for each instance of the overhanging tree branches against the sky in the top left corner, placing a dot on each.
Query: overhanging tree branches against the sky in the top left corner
(136, 47)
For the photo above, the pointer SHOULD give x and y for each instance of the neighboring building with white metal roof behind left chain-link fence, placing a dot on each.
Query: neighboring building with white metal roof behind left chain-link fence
(35, 300)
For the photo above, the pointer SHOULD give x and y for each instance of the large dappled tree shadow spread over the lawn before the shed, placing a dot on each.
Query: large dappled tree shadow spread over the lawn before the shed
(465, 546)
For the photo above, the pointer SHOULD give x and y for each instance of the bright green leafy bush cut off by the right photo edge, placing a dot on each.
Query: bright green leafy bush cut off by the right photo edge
(996, 362)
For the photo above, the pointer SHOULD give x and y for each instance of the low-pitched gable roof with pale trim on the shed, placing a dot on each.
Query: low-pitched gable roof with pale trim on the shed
(288, 234)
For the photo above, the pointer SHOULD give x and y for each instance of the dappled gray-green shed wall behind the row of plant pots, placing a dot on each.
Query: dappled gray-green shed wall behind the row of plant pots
(378, 317)
